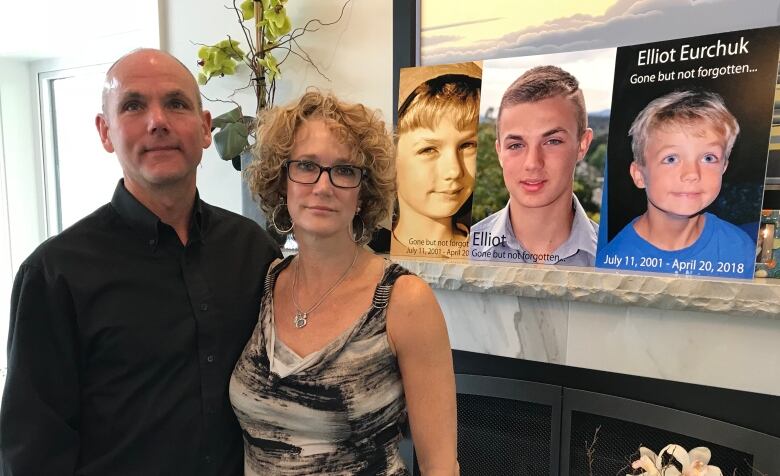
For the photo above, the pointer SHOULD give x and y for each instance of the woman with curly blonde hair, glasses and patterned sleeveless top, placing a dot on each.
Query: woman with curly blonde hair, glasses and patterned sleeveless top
(347, 342)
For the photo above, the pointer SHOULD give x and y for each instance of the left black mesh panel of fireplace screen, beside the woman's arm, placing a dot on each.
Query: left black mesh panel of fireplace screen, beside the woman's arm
(498, 436)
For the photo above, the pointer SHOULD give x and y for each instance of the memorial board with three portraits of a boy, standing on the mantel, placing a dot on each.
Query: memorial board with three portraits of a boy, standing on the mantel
(656, 162)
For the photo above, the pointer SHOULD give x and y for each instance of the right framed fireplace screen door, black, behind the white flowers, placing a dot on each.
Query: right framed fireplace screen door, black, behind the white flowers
(602, 434)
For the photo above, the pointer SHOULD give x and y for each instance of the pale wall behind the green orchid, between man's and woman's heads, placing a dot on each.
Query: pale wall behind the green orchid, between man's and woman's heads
(356, 54)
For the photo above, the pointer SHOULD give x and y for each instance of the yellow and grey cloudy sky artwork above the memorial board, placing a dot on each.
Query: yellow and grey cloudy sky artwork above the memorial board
(462, 31)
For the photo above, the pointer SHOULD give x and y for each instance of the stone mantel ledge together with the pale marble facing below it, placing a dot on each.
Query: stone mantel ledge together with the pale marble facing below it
(723, 333)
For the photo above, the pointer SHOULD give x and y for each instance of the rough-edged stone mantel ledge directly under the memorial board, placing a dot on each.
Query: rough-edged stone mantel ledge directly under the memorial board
(758, 297)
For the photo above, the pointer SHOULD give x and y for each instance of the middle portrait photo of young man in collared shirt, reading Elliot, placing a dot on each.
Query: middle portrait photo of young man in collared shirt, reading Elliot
(542, 143)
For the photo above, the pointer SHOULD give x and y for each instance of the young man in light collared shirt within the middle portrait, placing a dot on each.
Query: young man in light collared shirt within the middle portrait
(541, 134)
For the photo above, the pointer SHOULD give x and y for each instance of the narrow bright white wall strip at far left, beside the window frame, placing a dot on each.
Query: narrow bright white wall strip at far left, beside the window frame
(17, 100)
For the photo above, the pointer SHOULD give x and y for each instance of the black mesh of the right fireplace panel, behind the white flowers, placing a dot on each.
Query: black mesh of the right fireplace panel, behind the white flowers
(618, 443)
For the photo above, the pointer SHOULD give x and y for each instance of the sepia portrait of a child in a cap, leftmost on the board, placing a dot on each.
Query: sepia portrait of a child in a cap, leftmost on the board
(436, 159)
